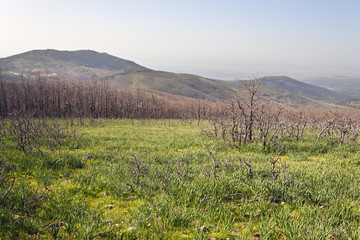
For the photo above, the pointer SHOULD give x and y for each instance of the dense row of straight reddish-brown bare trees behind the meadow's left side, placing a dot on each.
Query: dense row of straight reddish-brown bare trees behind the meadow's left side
(60, 98)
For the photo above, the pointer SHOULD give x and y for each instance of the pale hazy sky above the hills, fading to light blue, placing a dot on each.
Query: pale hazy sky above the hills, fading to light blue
(216, 38)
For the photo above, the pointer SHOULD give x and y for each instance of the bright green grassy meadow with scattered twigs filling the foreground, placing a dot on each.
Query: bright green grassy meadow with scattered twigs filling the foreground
(133, 179)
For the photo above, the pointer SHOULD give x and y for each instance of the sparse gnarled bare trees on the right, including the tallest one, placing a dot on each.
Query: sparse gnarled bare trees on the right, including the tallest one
(250, 120)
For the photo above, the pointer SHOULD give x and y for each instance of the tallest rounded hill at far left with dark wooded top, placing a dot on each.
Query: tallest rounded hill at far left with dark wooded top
(76, 65)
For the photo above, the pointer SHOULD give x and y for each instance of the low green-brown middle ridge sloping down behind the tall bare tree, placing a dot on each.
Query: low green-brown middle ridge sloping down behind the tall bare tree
(202, 88)
